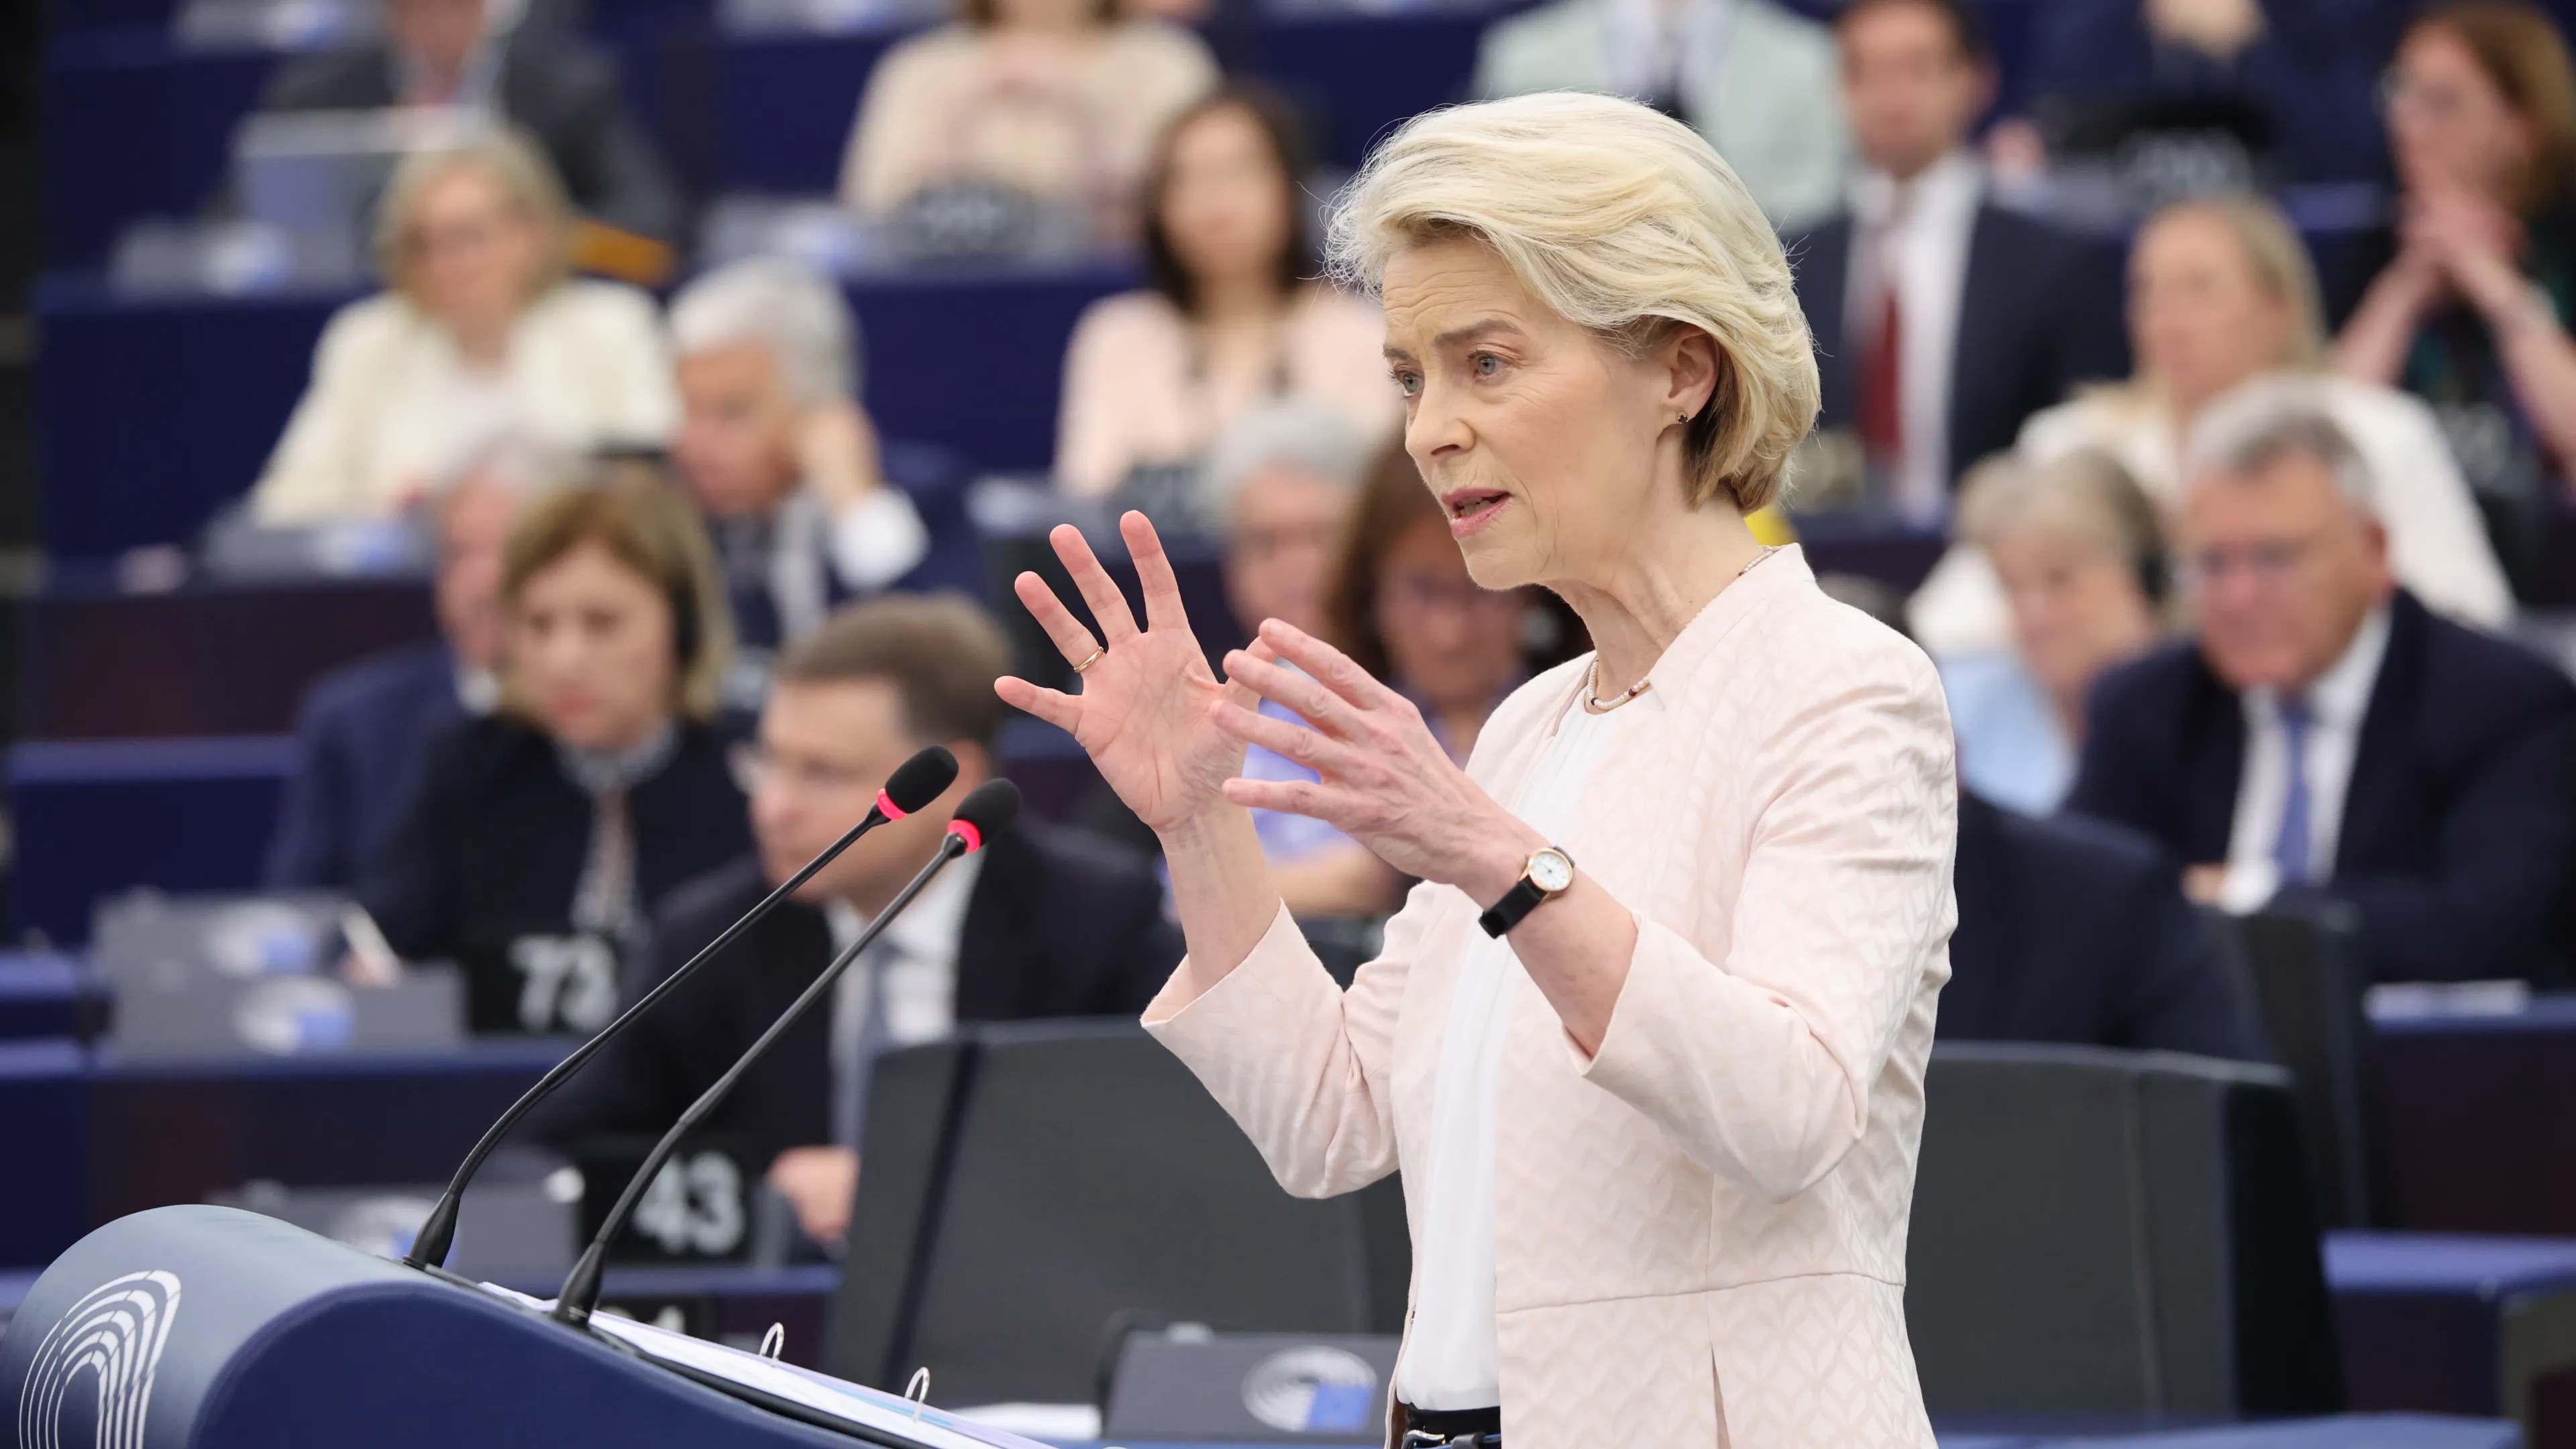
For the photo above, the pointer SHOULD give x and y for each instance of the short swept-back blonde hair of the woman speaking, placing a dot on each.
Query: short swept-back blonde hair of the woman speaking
(1624, 223)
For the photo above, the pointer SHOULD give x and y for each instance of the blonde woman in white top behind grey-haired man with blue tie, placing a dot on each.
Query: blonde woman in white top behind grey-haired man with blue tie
(2219, 298)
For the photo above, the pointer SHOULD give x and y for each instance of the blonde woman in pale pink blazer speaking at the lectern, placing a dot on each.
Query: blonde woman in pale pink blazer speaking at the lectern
(1650, 1040)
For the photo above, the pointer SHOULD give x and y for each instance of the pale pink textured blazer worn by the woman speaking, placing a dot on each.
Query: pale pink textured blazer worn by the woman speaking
(1699, 1234)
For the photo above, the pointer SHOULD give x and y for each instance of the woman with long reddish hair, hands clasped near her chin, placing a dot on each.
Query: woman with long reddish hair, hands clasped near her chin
(2479, 282)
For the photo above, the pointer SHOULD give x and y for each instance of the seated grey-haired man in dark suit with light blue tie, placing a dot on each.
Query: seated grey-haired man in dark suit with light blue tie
(2333, 741)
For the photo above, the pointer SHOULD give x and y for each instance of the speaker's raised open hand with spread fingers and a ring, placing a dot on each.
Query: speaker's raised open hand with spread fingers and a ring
(1148, 695)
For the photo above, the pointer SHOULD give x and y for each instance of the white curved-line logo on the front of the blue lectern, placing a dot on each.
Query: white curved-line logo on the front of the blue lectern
(109, 1345)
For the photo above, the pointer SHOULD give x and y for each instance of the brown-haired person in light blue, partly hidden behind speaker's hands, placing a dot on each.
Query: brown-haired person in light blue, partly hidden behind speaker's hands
(1408, 612)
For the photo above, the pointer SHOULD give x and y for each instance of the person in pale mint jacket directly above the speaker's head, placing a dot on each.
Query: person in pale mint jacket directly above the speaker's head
(1745, 73)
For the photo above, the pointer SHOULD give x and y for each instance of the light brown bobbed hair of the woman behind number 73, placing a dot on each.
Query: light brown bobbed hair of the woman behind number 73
(648, 525)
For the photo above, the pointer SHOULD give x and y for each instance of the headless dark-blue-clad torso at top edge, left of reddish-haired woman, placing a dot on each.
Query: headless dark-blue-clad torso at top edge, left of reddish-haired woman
(2289, 79)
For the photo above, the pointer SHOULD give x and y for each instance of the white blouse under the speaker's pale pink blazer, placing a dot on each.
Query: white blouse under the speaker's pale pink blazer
(1454, 1357)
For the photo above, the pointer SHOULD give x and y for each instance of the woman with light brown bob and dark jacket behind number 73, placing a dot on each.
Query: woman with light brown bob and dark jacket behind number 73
(540, 839)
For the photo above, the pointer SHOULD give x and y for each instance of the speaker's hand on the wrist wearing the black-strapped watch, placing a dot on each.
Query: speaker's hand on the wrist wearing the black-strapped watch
(1387, 780)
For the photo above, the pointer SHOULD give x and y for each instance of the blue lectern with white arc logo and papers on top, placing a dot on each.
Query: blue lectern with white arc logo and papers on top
(220, 1329)
